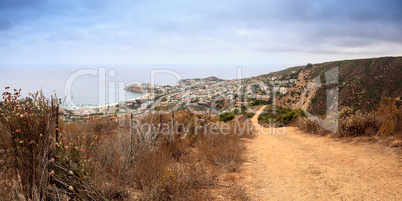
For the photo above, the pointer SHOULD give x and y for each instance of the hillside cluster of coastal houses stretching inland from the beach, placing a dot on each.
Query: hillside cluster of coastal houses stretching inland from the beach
(201, 93)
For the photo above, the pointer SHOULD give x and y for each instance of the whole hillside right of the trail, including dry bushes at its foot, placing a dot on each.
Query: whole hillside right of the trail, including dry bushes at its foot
(369, 96)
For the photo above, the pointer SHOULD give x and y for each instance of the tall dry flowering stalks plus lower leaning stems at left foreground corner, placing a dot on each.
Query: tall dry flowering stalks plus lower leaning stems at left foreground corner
(49, 167)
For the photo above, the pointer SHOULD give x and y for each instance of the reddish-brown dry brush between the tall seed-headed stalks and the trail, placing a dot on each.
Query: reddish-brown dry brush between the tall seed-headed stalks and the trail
(162, 163)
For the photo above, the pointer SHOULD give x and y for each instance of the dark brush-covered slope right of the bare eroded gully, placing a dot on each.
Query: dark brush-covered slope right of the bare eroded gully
(361, 83)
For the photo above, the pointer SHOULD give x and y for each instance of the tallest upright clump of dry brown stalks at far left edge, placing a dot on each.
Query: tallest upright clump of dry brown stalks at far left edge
(30, 125)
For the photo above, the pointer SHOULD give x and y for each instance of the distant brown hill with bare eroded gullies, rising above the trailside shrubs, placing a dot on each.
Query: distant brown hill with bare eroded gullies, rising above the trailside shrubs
(361, 83)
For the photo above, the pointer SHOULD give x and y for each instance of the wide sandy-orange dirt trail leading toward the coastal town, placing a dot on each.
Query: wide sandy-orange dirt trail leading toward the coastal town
(299, 166)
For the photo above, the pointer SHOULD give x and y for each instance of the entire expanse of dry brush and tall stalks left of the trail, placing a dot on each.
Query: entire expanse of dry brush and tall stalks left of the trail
(103, 159)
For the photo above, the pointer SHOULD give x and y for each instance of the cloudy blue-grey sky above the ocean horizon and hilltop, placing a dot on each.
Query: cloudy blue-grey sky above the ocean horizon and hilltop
(129, 31)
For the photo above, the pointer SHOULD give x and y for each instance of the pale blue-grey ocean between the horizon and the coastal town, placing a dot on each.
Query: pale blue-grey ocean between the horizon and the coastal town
(91, 85)
